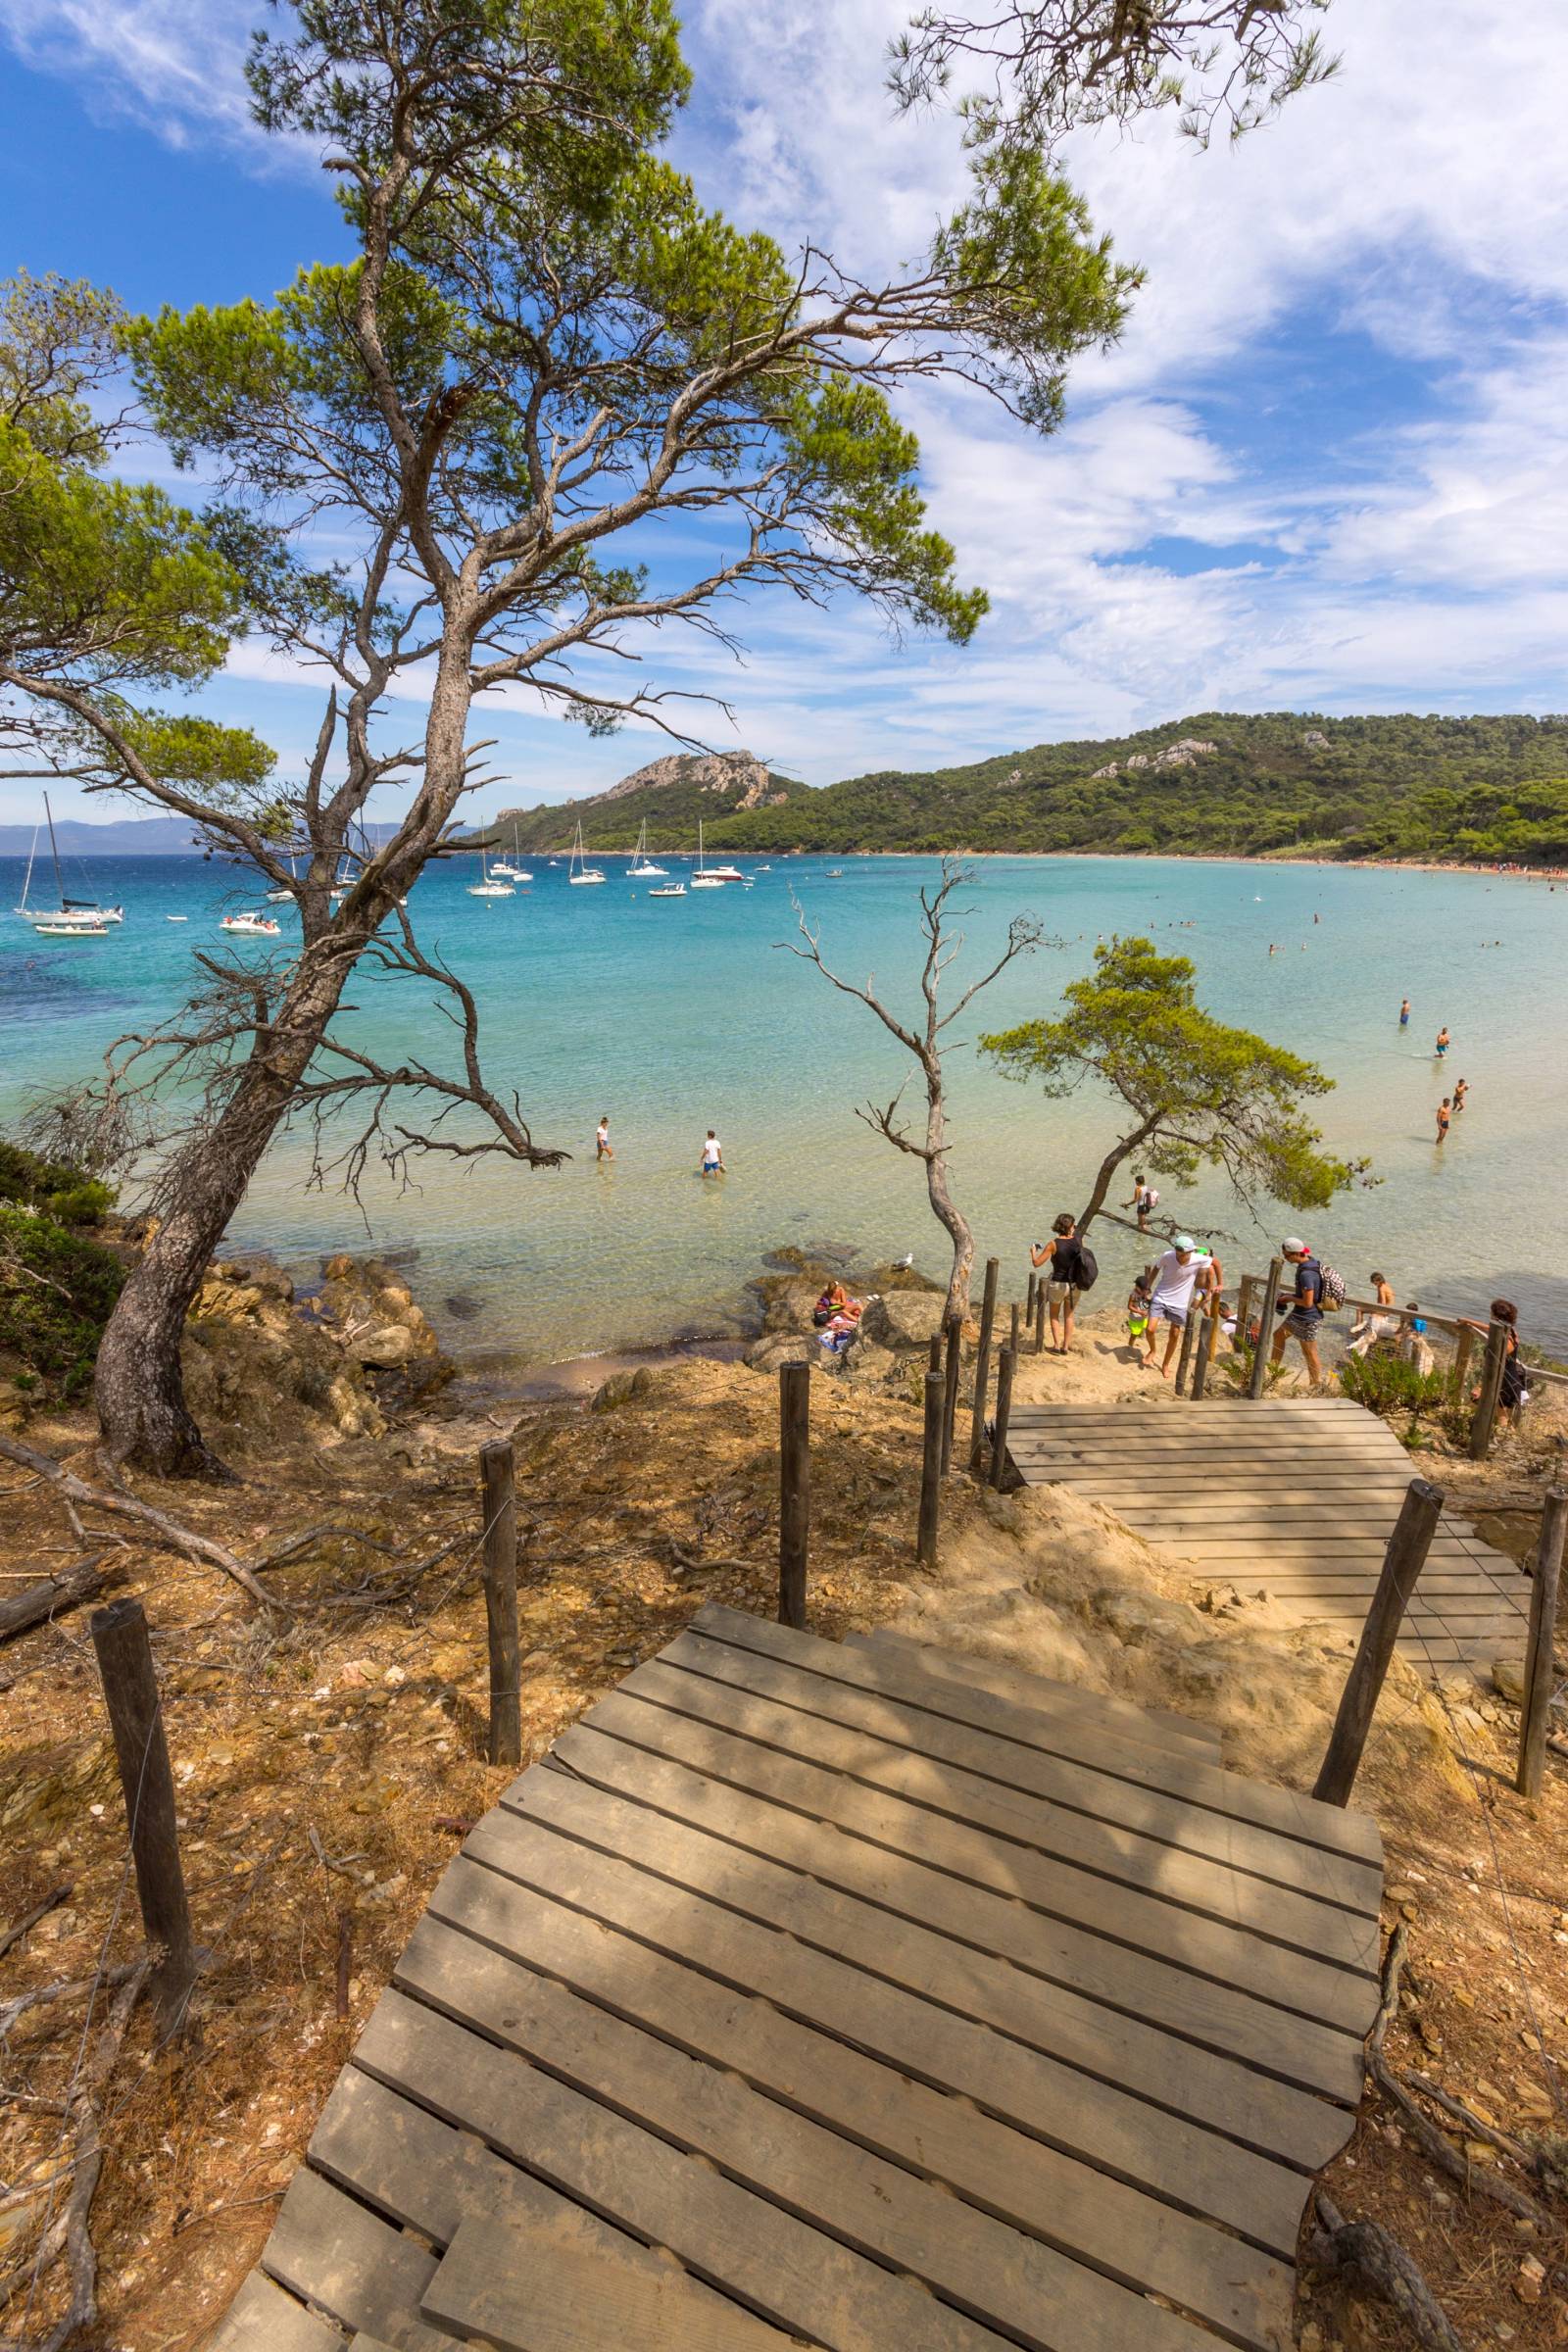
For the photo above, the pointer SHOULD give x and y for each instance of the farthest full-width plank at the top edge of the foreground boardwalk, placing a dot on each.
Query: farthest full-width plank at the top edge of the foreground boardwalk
(1094, 1756)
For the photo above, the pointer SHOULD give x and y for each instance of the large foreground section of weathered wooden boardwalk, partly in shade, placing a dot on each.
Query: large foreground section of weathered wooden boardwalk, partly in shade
(852, 1996)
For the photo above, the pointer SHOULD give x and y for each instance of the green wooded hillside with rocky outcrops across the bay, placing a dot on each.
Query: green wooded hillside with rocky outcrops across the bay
(1473, 791)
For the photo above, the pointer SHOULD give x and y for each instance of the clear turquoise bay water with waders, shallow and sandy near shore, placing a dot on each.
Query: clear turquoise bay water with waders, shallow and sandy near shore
(685, 1015)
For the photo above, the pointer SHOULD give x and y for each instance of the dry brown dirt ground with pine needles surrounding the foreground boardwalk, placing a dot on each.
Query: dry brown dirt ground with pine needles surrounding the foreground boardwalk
(330, 1760)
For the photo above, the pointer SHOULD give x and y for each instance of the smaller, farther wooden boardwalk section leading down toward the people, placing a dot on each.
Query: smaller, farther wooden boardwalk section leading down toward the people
(1294, 1497)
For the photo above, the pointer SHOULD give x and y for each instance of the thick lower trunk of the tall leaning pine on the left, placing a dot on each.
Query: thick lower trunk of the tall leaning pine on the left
(140, 1389)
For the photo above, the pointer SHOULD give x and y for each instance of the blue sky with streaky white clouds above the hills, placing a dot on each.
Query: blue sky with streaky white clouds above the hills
(1325, 469)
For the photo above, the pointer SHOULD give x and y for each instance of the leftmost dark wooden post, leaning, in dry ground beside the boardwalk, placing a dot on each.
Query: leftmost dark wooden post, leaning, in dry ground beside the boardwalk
(142, 1751)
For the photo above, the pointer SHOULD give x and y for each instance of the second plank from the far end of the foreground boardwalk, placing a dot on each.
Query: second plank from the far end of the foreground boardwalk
(1144, 1829)
